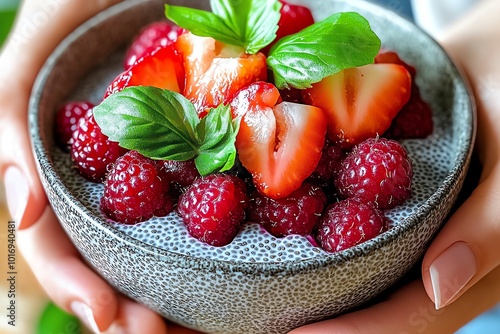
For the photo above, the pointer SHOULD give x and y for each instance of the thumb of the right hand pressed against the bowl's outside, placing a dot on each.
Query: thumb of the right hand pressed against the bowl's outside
(467, 247)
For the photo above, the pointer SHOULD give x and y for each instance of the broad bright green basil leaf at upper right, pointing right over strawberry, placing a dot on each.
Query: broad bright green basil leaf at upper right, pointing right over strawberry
(341, 41)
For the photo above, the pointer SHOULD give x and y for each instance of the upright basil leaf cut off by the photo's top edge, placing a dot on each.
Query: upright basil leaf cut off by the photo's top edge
(255, 21)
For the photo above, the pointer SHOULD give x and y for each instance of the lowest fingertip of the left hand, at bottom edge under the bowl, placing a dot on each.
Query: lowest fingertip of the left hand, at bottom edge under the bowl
(135, 318)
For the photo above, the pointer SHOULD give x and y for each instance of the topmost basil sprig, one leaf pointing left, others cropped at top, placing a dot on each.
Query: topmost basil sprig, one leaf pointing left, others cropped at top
(251, 24)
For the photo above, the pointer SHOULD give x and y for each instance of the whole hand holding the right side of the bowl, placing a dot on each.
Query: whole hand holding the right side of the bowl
(460, 272)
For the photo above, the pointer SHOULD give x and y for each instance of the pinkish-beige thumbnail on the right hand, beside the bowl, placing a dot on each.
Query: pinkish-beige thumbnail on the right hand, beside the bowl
(451, 272)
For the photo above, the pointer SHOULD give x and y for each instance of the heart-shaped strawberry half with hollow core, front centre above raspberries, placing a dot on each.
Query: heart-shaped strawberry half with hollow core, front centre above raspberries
(281, 144)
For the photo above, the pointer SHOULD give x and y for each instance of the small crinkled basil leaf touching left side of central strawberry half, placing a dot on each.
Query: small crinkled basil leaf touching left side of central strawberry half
(218, 132)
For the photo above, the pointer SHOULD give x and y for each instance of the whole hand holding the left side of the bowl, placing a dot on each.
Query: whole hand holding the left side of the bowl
(52, 257)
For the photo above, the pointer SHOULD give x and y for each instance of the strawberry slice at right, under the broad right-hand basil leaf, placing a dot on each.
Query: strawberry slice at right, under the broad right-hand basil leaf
(361, 102)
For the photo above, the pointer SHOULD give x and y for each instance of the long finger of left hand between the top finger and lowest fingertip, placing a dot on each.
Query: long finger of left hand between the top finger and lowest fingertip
(66, 279)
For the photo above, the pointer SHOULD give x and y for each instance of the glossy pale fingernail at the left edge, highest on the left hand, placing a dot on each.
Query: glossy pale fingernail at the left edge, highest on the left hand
(17, 189)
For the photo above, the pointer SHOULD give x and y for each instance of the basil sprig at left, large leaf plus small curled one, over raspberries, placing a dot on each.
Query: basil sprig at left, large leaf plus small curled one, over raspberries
(162, 124)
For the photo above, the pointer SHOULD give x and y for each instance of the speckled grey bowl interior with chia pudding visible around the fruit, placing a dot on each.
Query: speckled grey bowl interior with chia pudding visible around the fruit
(84, 65)
